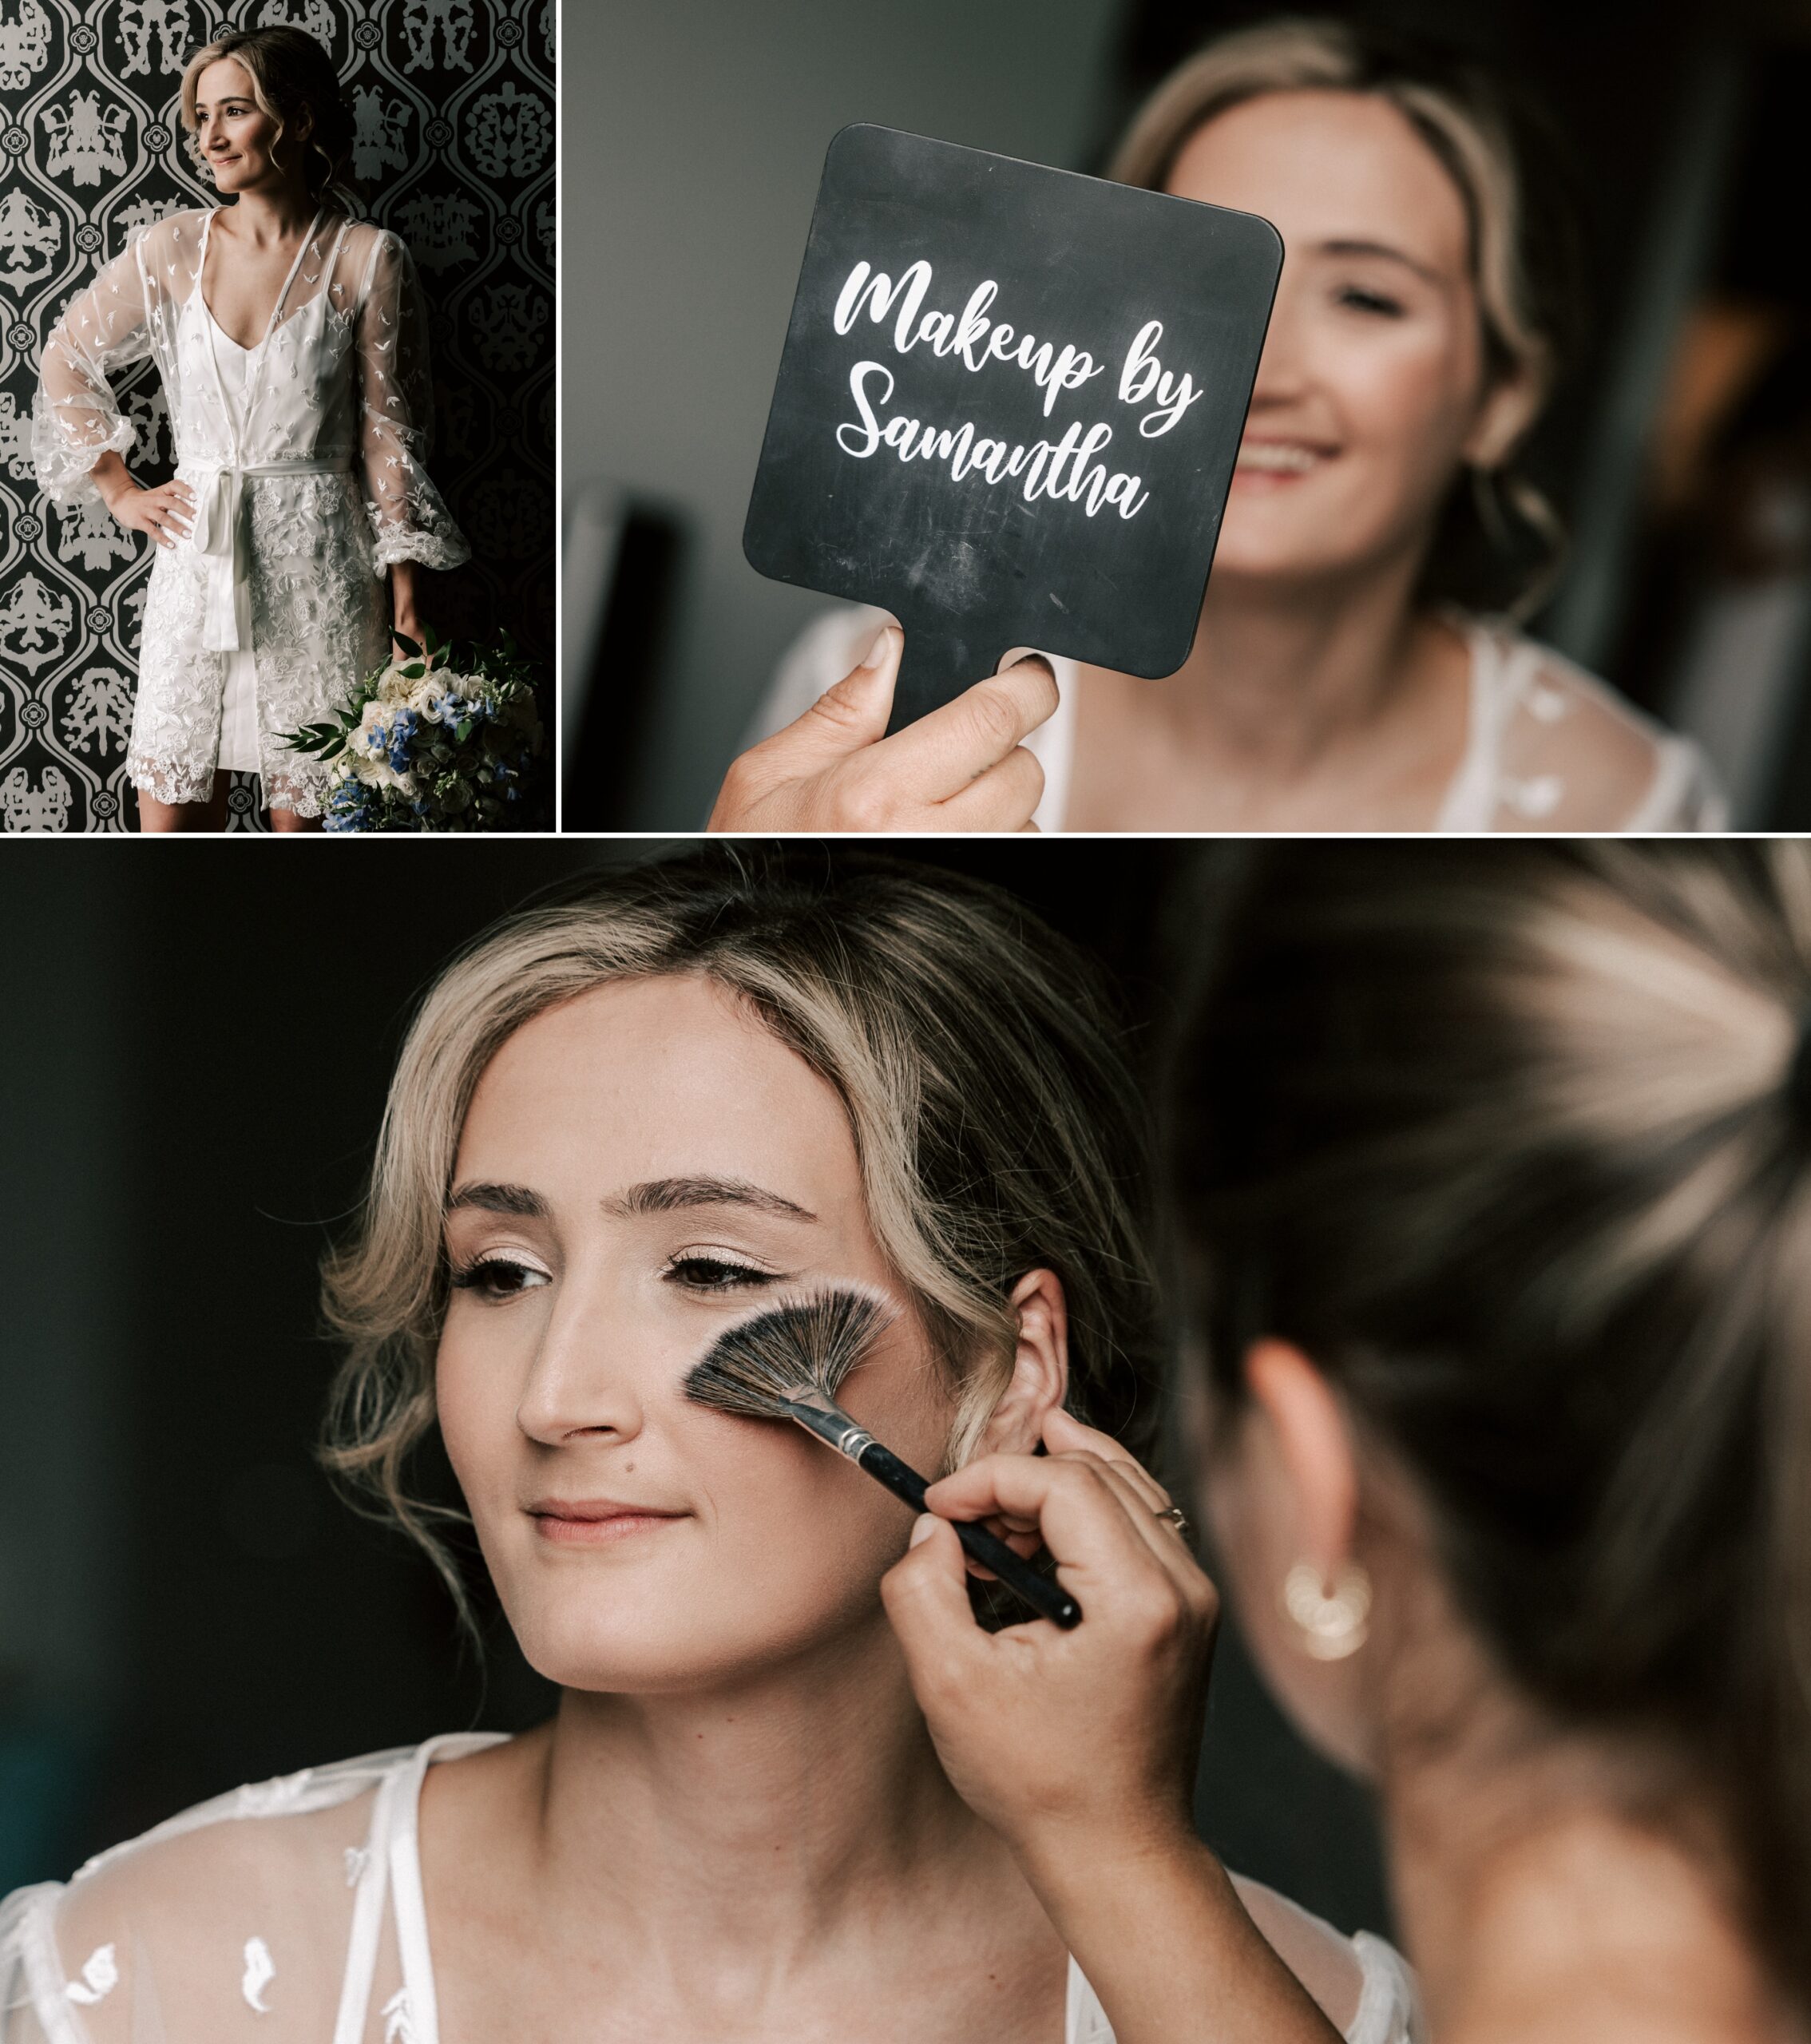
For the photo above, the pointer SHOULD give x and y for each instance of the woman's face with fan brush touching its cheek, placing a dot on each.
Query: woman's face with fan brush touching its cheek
(641, 1168)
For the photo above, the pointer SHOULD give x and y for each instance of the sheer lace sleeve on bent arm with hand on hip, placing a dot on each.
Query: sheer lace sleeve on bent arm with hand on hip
(77, 416)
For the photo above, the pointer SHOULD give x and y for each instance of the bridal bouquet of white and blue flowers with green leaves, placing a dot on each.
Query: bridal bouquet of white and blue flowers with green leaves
(449, 739)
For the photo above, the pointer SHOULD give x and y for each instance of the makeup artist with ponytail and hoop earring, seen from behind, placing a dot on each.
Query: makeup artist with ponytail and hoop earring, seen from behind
(1493, 1187)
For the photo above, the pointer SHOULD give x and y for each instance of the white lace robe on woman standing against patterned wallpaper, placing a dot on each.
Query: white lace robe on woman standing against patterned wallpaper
(306, 496)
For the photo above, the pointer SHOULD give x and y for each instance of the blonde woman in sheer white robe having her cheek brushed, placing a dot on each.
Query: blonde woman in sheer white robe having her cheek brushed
(620, 1125)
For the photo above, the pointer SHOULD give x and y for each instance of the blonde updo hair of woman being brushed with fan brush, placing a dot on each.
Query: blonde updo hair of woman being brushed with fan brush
(976, 1054)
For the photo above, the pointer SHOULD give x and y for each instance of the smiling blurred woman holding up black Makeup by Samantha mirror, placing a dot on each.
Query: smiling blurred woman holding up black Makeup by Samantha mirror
(1358, 663)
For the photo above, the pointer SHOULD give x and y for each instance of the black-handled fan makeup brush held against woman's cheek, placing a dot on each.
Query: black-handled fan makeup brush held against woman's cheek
(790, 1362)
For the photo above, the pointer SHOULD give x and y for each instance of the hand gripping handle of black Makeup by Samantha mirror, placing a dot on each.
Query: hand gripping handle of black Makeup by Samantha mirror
(958, 770)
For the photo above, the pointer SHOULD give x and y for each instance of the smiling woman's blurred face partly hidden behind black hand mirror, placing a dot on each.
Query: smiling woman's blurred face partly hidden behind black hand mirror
(1373, 381)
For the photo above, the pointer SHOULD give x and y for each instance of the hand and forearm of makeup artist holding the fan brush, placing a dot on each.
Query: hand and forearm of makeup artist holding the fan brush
(1080, 1747)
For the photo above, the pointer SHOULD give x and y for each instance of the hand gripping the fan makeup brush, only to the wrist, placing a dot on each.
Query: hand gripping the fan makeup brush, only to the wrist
(1068, 1743)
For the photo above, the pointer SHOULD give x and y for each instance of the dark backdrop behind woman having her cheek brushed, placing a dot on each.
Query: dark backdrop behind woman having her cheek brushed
(193, 1064)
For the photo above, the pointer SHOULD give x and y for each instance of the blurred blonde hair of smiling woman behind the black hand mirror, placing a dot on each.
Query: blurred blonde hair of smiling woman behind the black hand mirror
(1499, 541)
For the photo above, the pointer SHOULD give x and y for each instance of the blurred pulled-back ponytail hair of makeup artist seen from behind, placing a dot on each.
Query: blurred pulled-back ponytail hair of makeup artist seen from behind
(1516, 1144)
